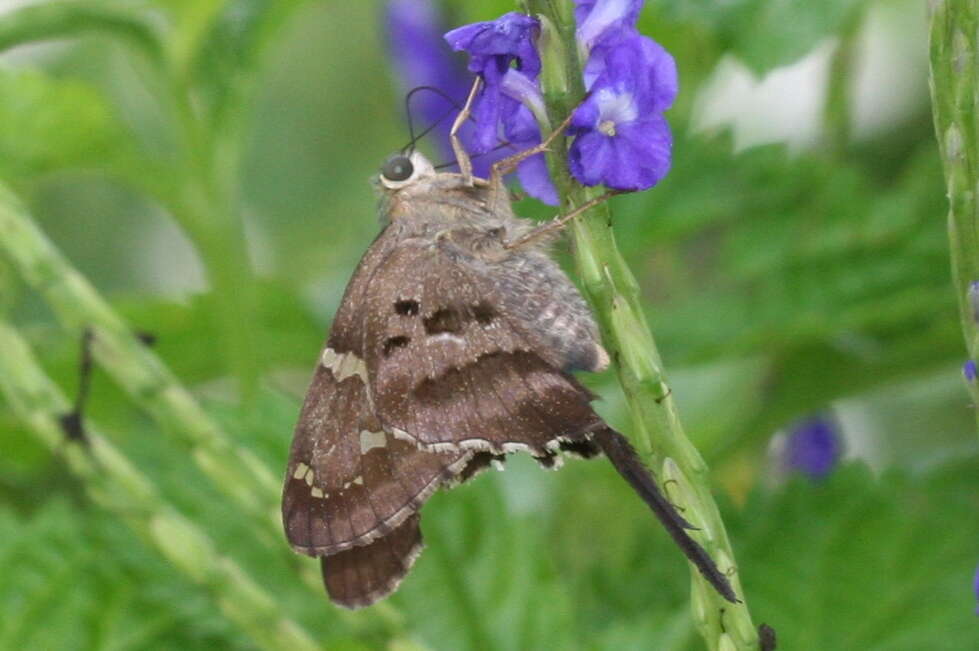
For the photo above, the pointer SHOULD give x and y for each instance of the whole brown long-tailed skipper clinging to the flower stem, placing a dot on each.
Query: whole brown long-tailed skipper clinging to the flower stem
(453, 347)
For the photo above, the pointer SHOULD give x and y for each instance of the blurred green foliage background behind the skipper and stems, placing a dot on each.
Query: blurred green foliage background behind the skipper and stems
(206, 164)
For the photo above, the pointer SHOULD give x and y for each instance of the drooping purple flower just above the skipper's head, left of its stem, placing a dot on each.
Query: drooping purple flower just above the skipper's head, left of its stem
(493, 48)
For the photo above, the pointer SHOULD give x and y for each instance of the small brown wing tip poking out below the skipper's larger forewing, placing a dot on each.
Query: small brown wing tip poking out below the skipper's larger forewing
(360, 576)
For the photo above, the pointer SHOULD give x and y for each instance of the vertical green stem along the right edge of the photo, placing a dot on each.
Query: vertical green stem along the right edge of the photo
(954, 88)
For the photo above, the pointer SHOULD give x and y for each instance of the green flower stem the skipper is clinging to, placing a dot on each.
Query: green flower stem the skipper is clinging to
(658, 435)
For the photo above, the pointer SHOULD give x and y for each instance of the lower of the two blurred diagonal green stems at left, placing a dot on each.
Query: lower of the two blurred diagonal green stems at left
(113, 483)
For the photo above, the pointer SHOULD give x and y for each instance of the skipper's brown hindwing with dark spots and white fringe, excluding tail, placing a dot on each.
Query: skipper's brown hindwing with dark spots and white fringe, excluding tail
(449, 370)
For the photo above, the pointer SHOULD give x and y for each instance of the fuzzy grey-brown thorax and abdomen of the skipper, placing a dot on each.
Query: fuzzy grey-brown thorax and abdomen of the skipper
(470, 225)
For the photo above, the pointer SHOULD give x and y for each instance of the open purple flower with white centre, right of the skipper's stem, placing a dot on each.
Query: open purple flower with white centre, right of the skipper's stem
(623, 141)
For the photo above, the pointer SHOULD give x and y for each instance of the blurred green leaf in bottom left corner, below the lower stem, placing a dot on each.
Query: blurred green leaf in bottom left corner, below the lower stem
(75, 578)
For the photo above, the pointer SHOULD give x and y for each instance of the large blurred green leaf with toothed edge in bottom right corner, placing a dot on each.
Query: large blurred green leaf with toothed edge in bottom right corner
(860, 562)
